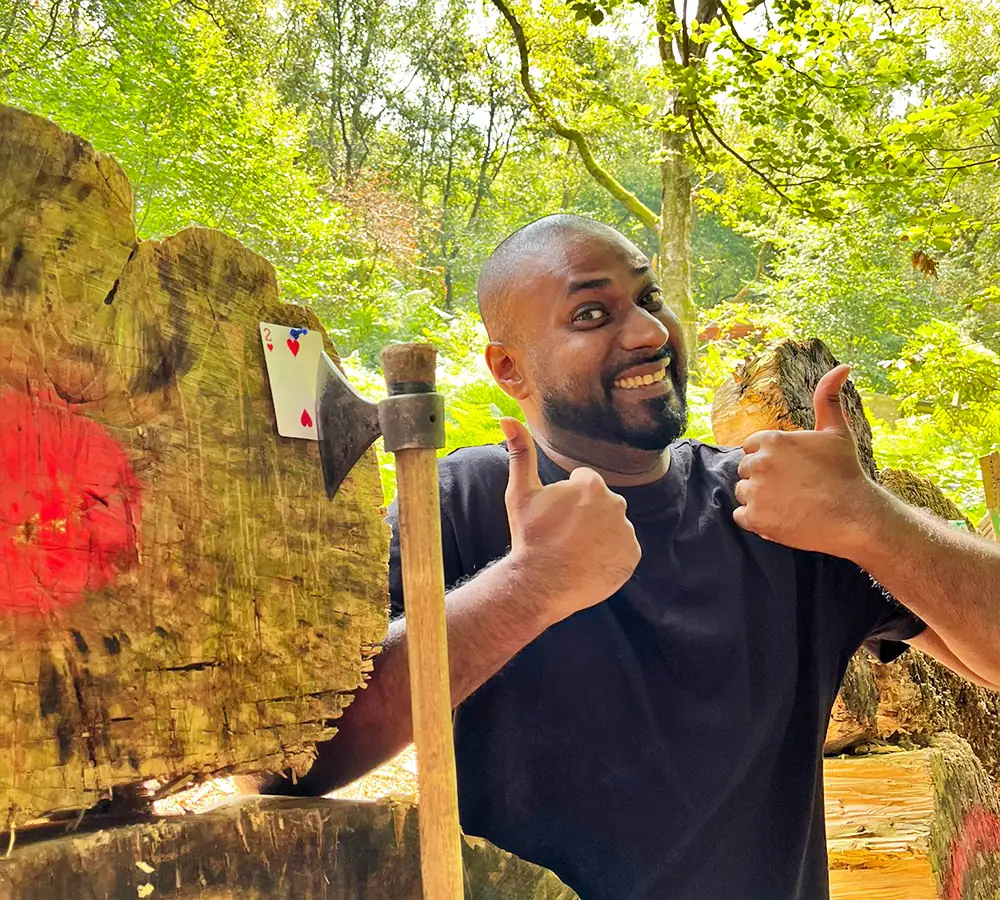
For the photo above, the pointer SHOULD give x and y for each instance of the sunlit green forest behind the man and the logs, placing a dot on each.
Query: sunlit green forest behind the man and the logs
(797, 168)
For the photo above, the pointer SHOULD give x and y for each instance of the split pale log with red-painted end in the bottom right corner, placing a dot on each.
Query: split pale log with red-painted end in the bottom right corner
(912, 825)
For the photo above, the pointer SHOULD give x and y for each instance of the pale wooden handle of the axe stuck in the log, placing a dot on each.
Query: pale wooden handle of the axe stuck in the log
(427, 644)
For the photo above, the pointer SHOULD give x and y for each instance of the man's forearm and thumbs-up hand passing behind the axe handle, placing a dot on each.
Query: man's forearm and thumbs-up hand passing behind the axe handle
(571, 547)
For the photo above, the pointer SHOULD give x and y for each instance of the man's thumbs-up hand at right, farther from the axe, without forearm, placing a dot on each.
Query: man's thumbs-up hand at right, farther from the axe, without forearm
(807, 489)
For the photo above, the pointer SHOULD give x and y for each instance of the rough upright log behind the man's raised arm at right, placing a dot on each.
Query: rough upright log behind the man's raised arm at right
(914, 697)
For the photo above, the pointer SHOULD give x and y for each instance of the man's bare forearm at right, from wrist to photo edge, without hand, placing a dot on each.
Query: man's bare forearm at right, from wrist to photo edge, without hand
(949, 578)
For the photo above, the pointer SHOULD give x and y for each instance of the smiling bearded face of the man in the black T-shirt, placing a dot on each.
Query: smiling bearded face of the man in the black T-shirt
(604, 353)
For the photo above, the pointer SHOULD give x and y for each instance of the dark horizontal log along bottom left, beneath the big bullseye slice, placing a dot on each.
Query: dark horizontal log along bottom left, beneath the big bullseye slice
(263, 849)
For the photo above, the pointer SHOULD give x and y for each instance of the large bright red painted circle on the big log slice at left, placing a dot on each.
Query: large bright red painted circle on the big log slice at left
(69, 505)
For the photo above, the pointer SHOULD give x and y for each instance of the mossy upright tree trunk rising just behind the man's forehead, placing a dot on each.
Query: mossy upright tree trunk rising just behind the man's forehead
(675, 227)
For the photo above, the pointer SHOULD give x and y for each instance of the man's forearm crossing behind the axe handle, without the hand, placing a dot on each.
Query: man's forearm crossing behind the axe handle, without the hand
(490, 619)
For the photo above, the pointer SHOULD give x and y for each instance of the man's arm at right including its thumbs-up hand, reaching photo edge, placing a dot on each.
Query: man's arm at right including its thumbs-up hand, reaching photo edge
(806, 489)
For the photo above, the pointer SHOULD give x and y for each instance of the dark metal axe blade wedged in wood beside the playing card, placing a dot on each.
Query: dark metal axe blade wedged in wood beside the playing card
(346, 423)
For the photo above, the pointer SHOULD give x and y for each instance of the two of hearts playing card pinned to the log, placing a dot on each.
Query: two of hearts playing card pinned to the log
(292, 357)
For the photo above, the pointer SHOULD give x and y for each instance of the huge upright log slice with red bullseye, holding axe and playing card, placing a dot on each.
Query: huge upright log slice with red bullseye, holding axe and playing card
(176, 593)
